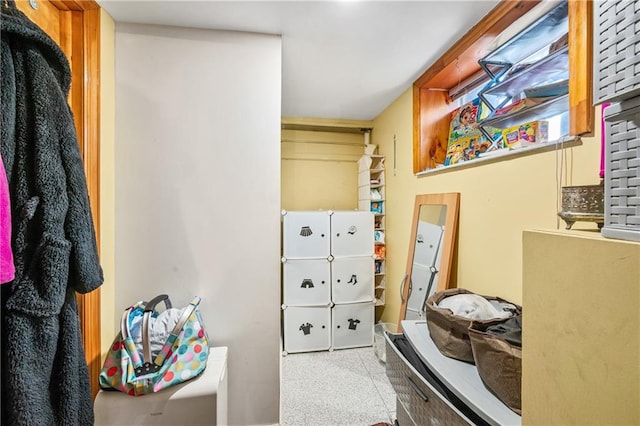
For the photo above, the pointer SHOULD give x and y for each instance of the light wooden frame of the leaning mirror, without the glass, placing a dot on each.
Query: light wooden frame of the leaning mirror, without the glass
(452, 201)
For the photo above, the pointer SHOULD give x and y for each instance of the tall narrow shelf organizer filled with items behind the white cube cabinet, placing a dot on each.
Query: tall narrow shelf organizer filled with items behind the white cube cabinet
(371, 197)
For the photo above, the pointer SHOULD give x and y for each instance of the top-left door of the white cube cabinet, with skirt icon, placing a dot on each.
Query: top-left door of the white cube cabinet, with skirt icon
(306, 234)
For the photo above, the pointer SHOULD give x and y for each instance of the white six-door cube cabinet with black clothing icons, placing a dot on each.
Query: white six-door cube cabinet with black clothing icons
(328, 270)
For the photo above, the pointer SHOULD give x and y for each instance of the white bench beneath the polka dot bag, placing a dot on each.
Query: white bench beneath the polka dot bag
(201, 401)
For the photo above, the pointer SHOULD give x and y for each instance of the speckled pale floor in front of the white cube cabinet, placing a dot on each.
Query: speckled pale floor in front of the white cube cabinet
(343, 387)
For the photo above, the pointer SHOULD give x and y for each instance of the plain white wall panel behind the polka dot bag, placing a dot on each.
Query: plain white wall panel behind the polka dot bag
(197, 166)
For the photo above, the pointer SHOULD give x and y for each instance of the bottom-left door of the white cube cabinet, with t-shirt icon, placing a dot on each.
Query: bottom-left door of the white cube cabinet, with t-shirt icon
(307, 328)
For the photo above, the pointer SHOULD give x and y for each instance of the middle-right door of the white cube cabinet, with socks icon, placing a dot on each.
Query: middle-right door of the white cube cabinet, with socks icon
(352, 279)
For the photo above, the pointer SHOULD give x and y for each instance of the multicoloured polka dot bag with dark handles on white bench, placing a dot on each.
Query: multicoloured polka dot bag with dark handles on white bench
(131, 366)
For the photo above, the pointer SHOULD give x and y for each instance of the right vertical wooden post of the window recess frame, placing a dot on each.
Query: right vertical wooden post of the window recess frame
(582, 112)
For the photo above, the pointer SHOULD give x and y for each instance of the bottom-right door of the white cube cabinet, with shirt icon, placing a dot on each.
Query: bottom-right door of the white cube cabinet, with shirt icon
(352, 325)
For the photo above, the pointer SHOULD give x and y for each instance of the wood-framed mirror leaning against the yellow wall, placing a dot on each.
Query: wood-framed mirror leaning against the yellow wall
(433, 232)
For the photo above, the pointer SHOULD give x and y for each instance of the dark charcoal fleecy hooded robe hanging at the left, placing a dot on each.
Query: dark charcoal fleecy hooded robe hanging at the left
(45, 378)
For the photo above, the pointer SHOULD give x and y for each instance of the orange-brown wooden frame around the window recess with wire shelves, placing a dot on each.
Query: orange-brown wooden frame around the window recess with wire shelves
(431, 103)
